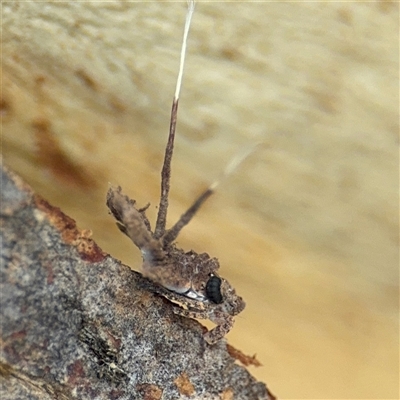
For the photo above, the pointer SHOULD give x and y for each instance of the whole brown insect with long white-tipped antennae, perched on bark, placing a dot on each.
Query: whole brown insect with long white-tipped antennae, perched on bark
(188, 278)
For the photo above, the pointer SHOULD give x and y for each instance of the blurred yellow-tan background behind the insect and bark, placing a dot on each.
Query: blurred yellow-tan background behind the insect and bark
(306, 229)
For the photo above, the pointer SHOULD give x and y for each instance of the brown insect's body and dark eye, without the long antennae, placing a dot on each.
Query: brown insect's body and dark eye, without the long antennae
(188, 278)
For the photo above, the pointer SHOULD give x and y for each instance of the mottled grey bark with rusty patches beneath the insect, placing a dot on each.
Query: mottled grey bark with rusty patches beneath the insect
(76, 323)
